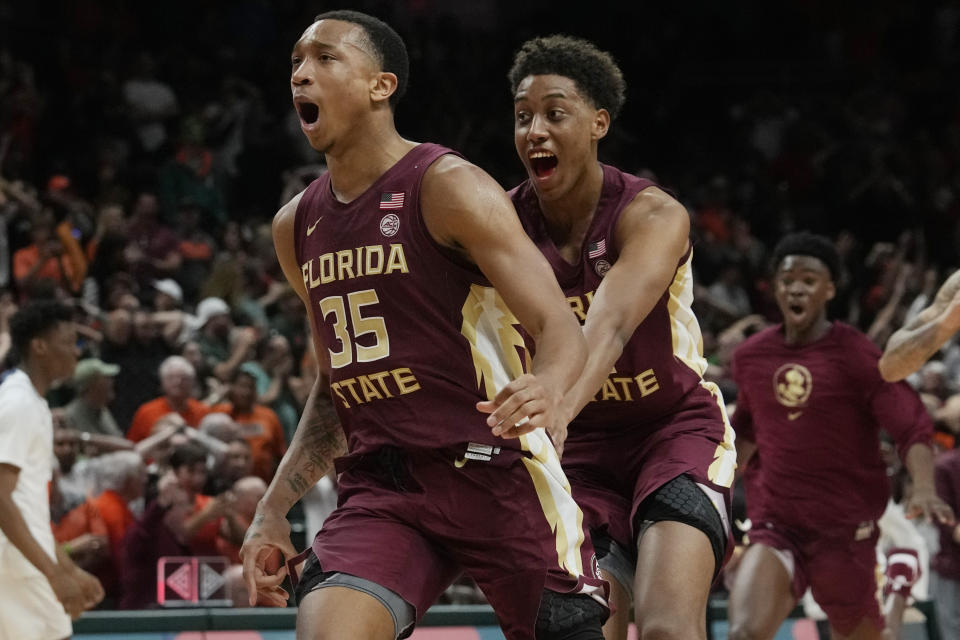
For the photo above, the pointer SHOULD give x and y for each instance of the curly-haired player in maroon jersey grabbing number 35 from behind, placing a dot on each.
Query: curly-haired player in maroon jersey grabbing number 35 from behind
(649, 451)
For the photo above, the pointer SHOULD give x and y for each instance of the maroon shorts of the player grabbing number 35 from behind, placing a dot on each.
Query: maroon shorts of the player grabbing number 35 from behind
(613, 472)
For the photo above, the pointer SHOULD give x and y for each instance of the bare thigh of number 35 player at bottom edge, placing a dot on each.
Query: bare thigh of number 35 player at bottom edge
(343, 613)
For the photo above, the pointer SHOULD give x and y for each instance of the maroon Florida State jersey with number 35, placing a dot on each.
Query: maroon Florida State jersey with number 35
(415, 337)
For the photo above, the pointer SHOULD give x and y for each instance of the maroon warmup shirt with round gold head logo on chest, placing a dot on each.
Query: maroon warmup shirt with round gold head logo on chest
(814, 412)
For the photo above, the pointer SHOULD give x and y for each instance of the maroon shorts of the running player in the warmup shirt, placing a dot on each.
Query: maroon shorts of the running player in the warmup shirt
(839, 568)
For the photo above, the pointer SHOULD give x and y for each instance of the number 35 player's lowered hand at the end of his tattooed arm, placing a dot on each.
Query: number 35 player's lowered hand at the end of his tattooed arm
(269, 533)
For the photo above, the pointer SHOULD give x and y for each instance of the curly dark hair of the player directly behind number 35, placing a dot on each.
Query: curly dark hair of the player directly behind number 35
(595, 72)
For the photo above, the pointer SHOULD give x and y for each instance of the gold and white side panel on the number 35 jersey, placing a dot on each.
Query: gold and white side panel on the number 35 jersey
(495, 343)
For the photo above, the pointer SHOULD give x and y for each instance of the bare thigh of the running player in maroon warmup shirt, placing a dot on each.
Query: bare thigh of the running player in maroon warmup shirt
(761, 597)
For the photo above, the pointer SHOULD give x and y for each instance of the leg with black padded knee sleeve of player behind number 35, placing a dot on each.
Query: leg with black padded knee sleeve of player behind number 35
(681, 543)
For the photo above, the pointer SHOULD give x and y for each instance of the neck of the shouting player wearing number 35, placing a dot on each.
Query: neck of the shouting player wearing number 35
(355, 164)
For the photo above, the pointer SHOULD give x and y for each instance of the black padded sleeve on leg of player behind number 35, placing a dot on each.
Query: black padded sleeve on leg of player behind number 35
(681, 500)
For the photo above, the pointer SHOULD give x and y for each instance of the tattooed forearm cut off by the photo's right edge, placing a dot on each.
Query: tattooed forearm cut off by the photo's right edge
(912, 345)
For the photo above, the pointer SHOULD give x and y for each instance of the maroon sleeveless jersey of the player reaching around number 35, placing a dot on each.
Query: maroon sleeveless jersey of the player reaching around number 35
(662, 363)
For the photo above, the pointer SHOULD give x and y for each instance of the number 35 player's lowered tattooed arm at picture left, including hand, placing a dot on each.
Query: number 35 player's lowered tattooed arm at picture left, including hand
(317, 441)
